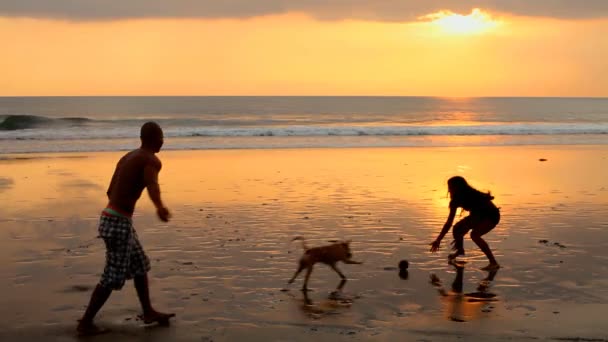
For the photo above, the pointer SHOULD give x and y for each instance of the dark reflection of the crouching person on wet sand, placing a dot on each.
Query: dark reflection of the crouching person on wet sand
(463, 307)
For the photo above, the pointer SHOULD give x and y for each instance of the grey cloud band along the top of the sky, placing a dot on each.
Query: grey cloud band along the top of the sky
(376, 10)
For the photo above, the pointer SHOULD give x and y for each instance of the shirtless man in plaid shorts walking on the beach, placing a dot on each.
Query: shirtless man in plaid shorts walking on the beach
(125, 257)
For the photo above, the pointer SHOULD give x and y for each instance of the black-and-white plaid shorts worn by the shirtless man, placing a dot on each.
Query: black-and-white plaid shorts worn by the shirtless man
(125, 258)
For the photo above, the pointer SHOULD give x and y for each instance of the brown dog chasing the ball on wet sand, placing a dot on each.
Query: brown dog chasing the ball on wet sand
(329, 255)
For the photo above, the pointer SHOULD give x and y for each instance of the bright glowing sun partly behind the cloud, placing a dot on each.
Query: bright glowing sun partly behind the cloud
(453, 23)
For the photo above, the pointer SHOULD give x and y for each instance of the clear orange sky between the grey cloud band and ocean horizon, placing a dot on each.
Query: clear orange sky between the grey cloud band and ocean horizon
(293, 54)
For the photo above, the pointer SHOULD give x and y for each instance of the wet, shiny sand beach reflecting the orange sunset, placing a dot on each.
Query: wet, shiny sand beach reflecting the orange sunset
(223, 261)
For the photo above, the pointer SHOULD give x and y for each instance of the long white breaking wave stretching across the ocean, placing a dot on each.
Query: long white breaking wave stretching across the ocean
(74, 130)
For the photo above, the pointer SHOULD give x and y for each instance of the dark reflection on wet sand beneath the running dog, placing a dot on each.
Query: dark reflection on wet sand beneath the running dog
(334, 304)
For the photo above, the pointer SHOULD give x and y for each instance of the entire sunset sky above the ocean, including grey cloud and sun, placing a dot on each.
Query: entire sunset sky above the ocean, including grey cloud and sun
(304, 47)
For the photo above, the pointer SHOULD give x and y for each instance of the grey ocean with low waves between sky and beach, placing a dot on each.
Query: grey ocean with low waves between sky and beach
(86, 124)
